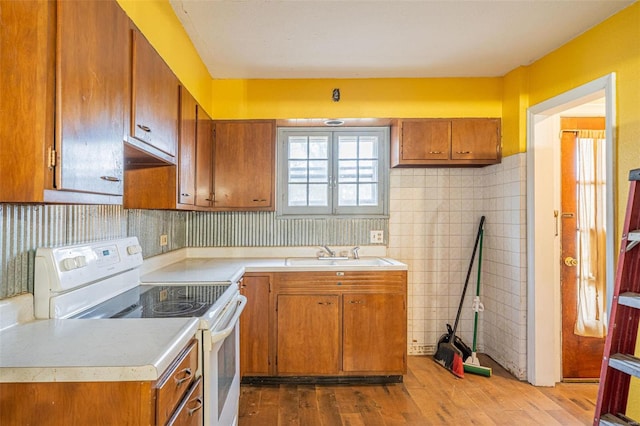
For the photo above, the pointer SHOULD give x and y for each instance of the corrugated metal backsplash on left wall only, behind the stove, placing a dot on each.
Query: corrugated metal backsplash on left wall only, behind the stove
(24, 228)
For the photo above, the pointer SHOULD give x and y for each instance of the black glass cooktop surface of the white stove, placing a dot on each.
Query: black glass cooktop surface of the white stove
(157, 301)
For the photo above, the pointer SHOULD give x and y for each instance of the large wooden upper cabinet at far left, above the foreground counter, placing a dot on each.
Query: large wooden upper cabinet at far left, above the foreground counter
(64, 102)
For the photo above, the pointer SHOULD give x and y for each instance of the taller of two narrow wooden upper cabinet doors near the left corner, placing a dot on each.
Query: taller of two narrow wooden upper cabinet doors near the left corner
(187, 149)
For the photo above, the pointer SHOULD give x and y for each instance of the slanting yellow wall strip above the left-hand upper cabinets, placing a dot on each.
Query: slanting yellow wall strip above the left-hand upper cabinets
(158, 22)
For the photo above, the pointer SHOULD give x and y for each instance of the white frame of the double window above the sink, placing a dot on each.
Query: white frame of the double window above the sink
(333, 210)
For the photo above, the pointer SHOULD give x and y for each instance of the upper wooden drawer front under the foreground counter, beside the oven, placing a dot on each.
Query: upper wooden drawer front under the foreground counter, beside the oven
(175, 382)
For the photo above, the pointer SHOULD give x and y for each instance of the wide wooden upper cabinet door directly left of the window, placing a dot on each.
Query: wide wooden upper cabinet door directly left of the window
(244, 165)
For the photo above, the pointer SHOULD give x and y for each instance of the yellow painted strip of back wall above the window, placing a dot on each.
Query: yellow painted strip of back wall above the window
(360, 98)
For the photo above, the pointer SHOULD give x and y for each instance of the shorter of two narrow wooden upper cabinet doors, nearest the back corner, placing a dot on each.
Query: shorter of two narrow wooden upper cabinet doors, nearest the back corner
(204, 160)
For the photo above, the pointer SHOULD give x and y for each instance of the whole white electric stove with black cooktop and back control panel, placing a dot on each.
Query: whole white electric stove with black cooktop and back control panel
(102, 280)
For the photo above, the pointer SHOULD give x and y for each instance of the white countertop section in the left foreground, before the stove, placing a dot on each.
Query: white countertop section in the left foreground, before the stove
(79, 350)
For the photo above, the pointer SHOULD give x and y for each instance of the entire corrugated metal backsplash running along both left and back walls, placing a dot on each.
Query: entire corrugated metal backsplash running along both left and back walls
(24, 228)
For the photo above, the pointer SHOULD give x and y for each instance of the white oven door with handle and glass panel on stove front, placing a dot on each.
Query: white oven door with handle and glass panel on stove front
(221, 367)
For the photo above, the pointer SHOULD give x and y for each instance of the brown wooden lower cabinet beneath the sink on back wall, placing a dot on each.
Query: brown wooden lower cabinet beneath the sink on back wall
(324, 324)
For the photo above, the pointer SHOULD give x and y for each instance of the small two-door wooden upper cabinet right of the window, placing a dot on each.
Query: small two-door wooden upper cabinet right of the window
(445, 142)
